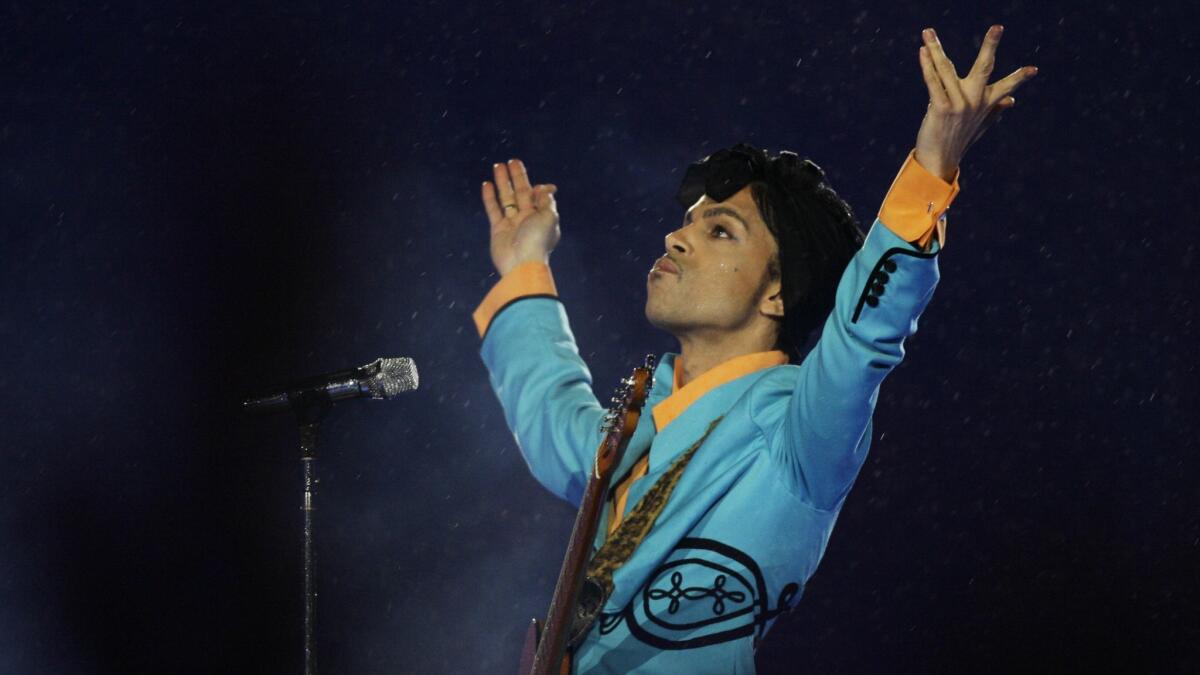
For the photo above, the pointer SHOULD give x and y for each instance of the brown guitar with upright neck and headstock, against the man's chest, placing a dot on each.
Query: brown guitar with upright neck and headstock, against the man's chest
(569, 619)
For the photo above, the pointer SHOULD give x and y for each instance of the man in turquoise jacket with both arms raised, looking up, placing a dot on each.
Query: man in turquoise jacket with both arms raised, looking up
(730, 488)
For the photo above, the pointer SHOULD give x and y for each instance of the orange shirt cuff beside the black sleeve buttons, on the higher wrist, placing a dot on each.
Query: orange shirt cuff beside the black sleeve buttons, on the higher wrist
(917, 202)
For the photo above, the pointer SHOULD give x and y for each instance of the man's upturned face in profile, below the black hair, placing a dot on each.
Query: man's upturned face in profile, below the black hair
(716, 276)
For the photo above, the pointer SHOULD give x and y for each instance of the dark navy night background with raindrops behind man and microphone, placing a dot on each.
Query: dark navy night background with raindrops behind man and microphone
(205, 199)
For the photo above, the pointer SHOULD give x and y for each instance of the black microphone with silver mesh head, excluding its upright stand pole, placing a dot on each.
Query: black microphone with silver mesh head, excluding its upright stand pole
(381, 379)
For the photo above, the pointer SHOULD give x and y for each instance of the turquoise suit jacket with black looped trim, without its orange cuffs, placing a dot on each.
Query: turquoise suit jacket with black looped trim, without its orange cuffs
(752, 515)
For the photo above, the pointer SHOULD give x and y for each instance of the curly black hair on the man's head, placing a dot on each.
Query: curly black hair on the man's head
(815, 230)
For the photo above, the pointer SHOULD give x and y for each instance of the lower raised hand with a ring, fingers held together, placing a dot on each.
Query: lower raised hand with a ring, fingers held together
(525, 219)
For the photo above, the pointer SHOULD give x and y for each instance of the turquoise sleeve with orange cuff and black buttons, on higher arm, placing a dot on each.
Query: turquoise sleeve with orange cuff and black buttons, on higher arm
(825, 433)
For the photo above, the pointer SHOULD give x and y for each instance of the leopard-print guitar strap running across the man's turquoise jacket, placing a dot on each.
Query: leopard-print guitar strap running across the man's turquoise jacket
(629, 535)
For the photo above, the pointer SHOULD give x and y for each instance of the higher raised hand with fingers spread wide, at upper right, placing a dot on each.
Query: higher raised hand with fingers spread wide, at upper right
(961, 110)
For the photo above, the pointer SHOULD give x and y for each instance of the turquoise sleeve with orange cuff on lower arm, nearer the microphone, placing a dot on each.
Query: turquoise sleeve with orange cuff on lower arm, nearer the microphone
(543, 385)
